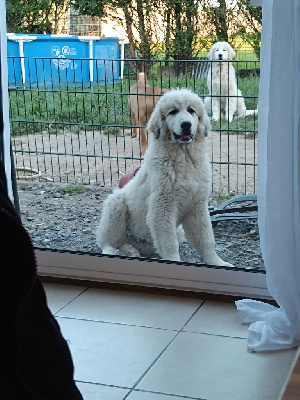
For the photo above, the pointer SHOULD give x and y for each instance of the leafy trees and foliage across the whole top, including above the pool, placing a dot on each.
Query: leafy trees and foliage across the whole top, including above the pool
(155, 29)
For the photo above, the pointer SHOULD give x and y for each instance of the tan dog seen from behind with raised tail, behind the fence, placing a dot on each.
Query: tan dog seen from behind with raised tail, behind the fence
(142, 100)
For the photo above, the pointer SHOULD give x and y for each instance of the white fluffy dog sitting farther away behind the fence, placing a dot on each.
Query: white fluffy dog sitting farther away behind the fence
(225, 98)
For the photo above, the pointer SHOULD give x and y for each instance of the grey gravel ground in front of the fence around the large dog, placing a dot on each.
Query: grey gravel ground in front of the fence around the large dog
(63, 219)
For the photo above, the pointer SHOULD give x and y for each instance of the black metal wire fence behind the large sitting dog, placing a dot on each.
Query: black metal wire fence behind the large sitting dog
(80, 130)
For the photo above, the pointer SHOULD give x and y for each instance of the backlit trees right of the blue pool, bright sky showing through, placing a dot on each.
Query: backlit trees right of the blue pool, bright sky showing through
(176, 29)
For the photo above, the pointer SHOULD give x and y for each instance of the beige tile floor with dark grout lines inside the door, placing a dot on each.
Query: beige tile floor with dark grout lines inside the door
(150, 347)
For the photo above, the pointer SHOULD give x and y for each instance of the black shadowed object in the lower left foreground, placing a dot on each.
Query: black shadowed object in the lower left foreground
(35, 359)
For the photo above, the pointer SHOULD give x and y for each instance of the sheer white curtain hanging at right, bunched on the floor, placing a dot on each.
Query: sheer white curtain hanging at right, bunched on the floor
(273, 328)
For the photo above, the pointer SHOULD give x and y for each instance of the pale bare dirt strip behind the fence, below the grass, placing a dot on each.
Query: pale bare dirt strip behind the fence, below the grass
(92, 157)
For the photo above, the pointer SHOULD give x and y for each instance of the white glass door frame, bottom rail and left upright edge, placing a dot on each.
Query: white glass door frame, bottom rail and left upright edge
(144, 272)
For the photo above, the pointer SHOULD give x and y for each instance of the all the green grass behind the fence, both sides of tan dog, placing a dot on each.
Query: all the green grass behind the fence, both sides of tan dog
(38, 110)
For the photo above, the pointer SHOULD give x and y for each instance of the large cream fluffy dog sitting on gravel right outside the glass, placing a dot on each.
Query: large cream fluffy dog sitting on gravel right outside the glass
(170, 191)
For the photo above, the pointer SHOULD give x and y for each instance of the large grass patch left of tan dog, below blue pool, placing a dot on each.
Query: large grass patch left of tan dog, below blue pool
(38, 110)
